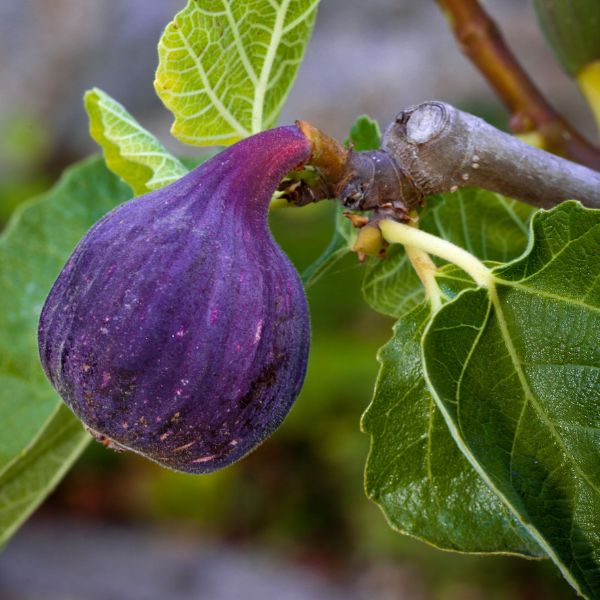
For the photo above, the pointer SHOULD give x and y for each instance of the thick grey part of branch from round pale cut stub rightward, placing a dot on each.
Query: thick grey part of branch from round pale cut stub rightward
(440, 148)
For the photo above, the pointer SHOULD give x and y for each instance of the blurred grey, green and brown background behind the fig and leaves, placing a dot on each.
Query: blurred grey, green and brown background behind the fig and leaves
(291, 521)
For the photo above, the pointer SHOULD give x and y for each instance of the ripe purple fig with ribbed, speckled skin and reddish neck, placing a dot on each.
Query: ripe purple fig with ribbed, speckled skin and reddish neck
(178, 328)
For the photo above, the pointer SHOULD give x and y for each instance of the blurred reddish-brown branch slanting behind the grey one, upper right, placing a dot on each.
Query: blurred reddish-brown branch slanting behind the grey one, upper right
(481, 40)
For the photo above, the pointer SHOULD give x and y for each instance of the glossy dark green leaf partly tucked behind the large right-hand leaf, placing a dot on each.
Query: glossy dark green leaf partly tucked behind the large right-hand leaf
(416, 472)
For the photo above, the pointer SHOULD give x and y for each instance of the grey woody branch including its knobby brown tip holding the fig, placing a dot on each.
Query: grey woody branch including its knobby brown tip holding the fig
(434, 148)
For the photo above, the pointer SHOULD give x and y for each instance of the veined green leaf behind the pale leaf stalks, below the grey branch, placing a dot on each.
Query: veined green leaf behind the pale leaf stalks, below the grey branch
(490, 226)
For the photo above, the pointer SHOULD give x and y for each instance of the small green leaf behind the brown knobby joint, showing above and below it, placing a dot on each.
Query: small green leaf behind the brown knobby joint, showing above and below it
(364, 135)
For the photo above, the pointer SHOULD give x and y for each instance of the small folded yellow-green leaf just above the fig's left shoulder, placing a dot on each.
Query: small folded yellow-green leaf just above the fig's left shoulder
(130, 151)
